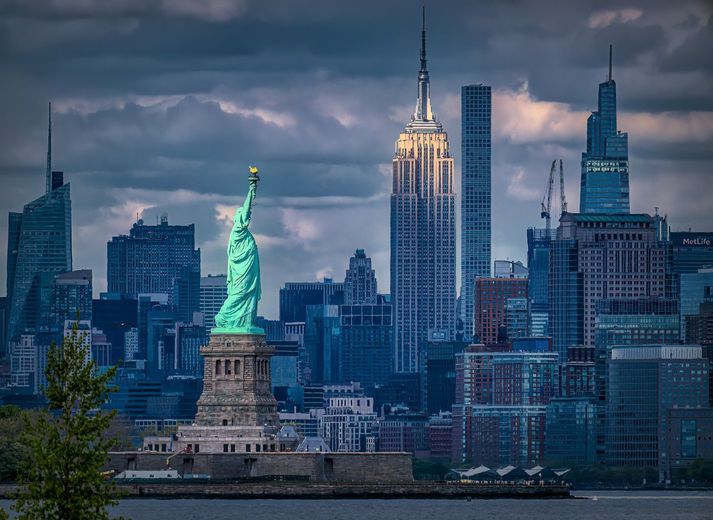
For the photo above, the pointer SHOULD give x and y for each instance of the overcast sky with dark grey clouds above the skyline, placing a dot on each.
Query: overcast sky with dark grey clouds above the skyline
(160, 106)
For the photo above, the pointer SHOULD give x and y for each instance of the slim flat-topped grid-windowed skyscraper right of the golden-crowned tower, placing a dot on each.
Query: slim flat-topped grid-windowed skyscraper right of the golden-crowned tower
(475, 194)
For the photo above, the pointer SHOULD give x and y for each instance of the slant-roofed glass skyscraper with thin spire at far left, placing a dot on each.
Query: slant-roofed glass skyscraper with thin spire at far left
(39, 241)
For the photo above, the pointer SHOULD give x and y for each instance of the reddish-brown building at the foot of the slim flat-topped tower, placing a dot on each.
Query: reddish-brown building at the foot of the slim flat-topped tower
(491, 296)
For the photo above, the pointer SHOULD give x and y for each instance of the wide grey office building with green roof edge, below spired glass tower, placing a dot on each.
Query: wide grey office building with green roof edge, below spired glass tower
(597, 257)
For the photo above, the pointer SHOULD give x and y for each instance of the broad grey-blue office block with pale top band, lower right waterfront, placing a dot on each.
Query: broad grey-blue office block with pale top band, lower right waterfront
(645, 383)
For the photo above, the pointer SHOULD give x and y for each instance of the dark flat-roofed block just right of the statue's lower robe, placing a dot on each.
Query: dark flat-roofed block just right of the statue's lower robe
(296, 296)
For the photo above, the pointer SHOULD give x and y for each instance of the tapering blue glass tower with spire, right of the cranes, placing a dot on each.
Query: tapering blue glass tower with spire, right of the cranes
(605, 164)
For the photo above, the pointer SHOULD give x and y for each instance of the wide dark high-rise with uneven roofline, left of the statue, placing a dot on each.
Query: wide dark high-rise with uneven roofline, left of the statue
(157, 259)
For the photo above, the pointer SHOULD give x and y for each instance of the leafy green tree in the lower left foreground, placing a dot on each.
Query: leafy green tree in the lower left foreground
(61, 477)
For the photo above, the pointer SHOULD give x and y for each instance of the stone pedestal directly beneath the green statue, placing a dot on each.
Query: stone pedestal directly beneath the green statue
(237, 386)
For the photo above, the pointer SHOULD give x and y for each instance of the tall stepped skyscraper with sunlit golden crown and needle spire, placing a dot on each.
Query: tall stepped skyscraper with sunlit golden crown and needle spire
(423, 248)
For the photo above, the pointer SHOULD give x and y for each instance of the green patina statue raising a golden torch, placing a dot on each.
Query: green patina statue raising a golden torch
(238, 313)
